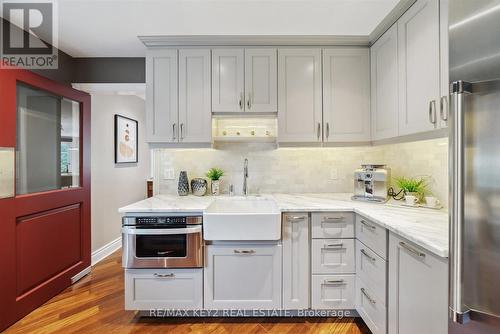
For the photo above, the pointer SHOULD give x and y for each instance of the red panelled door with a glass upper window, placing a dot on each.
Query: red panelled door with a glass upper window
(45, 207)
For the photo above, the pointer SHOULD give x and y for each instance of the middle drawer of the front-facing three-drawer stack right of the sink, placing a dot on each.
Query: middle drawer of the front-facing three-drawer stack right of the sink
(333, 256)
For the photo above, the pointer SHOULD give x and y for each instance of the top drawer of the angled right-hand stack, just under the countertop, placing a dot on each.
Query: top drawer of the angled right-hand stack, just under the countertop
(372, 235)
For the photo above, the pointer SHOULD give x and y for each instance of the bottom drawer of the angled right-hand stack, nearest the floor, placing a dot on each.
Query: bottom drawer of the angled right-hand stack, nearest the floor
(370, 308)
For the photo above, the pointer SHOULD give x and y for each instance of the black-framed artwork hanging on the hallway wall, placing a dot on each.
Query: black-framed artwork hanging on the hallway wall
(126, 140)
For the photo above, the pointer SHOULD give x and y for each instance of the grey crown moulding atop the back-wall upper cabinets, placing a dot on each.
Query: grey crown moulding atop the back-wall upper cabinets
(250, 40)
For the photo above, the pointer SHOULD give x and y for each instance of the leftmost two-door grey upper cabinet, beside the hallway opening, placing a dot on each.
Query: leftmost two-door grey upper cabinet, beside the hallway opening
(178, 108)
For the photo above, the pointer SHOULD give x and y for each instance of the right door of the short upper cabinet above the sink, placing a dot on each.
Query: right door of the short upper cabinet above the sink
(261, 80)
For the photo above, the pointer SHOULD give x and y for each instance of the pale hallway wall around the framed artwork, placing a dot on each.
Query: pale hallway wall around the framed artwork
(113, 185)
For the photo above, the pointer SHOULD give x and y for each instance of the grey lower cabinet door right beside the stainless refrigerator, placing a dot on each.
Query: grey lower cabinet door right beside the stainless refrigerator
(418, 290)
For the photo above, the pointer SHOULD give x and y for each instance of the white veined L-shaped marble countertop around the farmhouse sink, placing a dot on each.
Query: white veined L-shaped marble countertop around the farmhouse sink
(425, 227)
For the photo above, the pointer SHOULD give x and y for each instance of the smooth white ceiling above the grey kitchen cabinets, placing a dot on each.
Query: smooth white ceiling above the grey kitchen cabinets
(109, 28)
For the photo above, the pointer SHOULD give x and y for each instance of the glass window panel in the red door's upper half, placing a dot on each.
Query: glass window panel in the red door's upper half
(48, 141)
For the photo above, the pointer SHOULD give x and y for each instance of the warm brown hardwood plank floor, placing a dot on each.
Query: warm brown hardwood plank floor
(95, 305)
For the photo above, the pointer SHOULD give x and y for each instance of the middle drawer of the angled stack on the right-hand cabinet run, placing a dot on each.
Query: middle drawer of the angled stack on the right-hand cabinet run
(371, 269)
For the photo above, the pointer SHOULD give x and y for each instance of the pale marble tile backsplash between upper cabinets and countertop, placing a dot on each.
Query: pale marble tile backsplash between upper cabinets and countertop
(307, 169)
